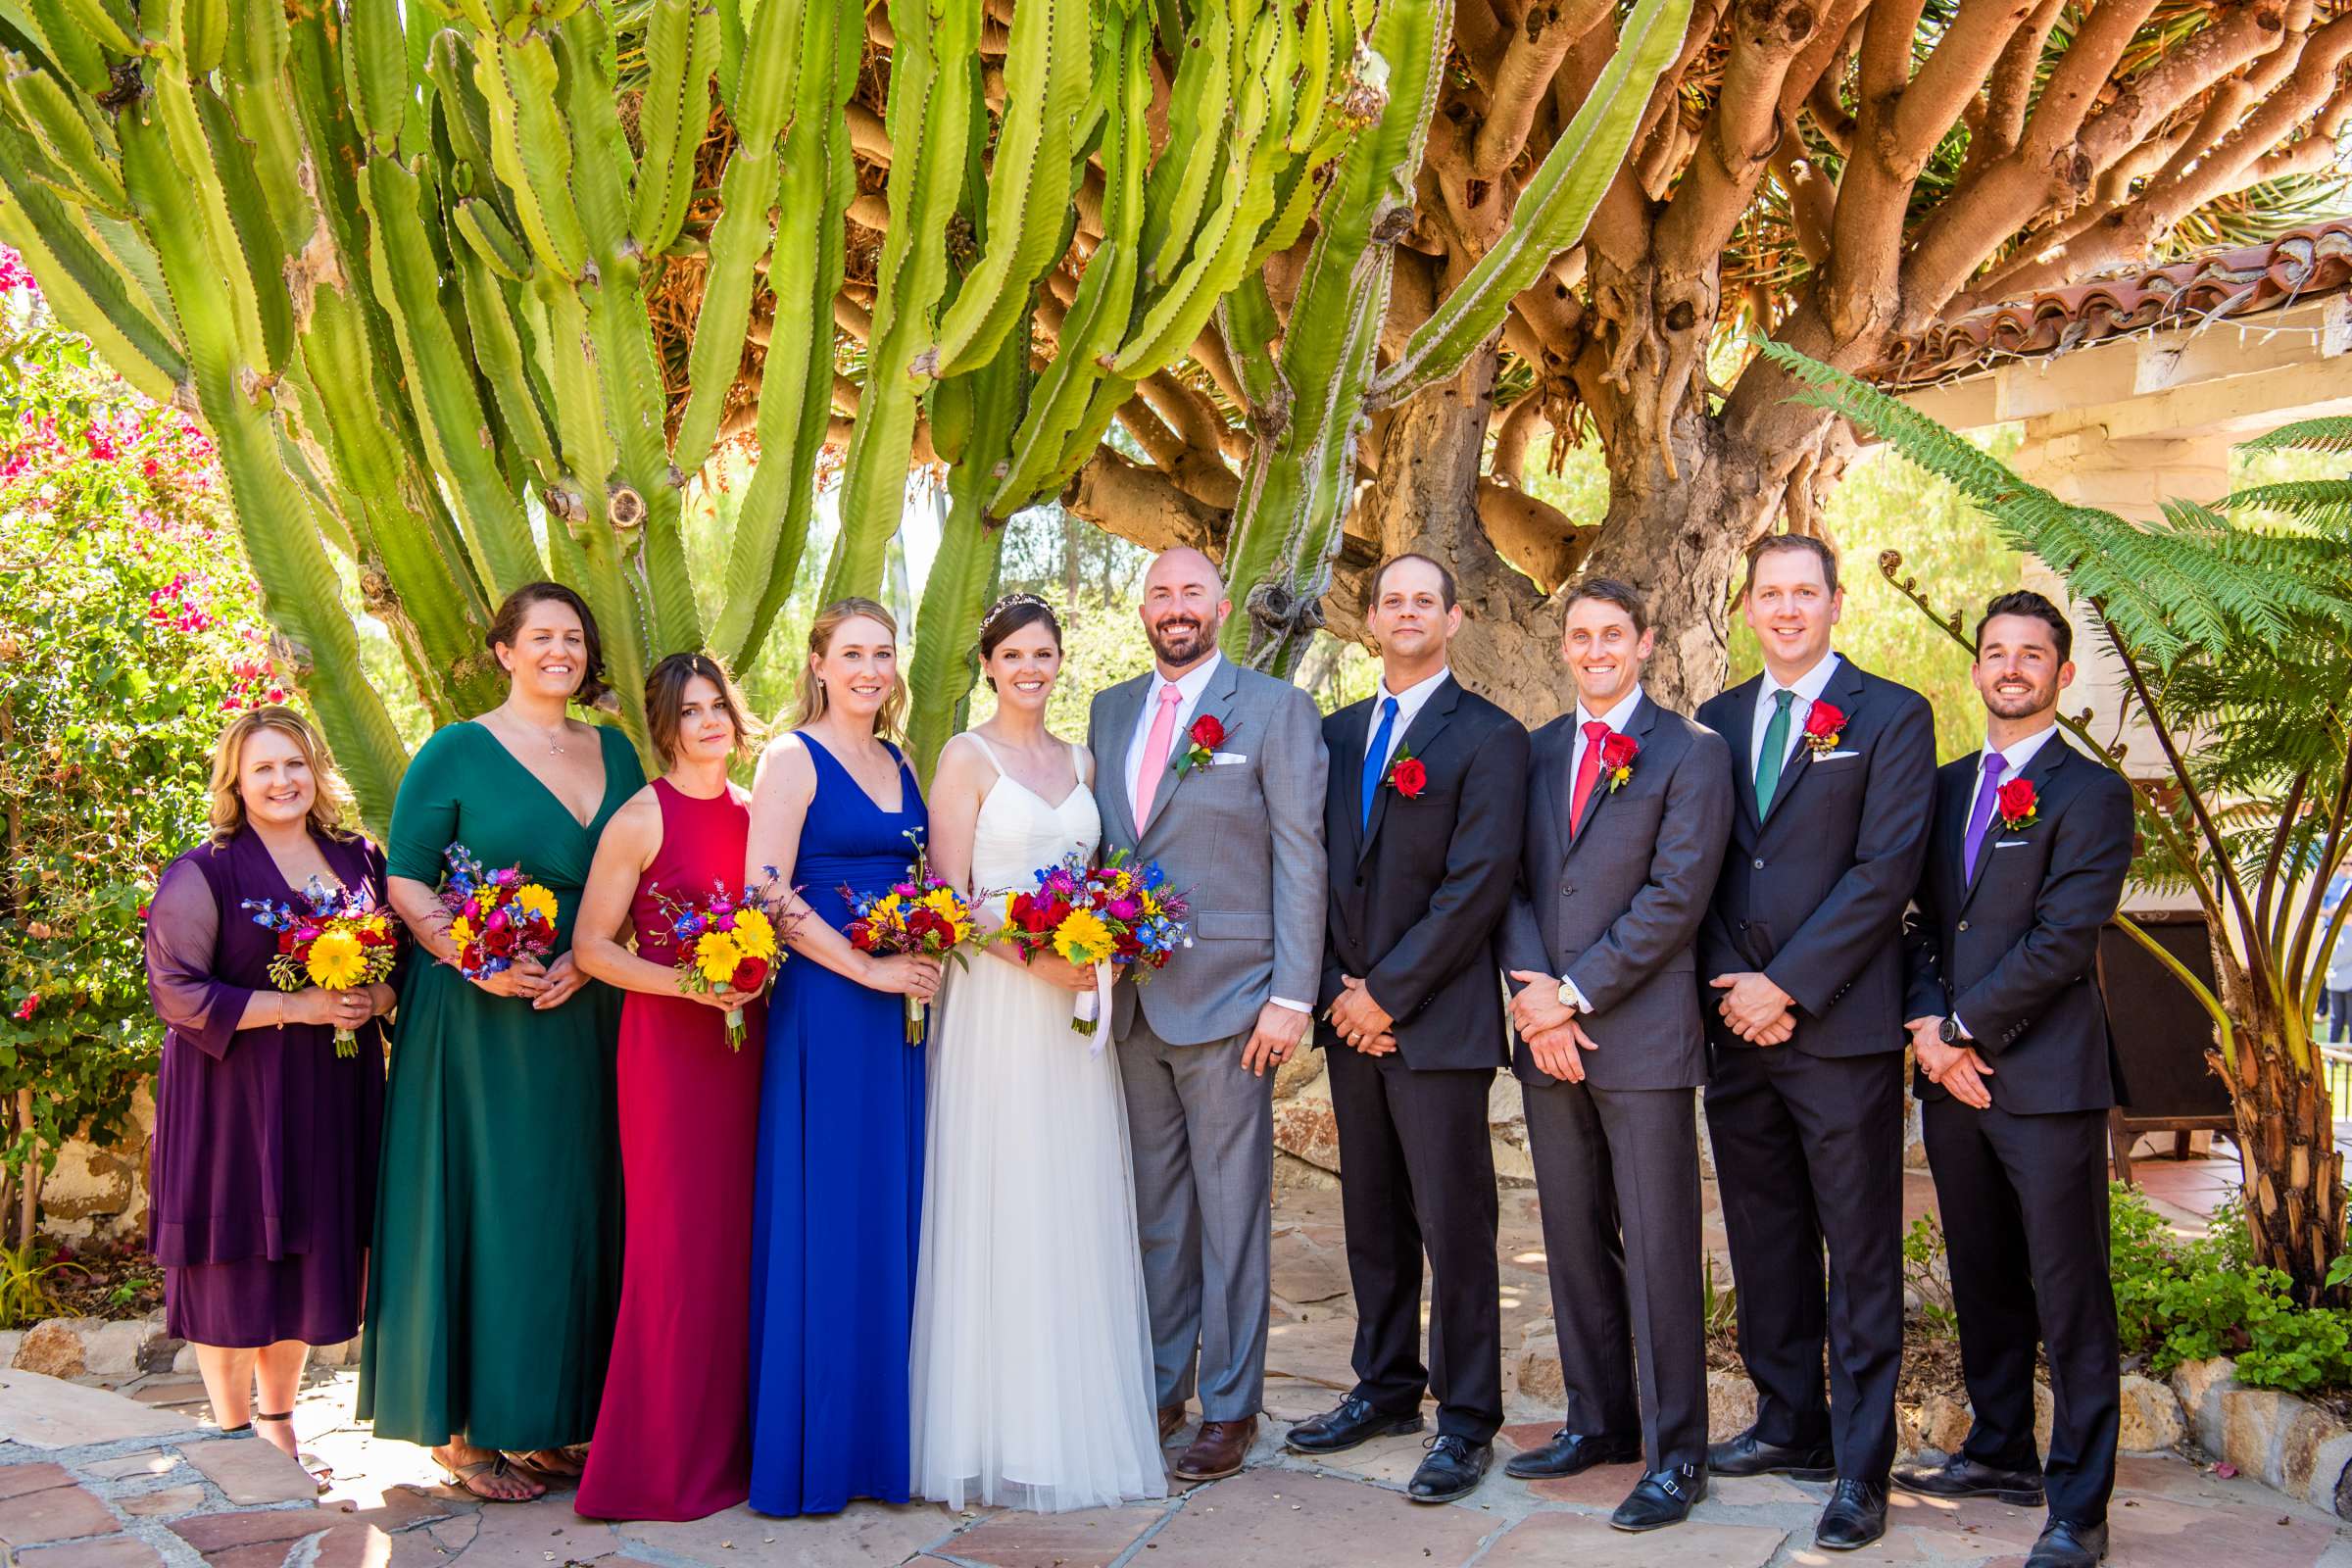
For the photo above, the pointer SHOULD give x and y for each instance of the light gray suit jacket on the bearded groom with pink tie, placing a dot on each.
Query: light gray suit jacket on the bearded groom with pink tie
(1243, 840)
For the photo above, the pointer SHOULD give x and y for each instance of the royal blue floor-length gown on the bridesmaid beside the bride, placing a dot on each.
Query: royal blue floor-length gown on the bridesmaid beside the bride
(838, 1195)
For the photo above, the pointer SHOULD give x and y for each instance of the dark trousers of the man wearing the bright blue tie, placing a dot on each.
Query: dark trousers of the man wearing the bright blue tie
(1417, 1174)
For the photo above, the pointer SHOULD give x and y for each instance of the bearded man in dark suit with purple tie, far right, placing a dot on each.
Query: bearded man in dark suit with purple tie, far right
(2017, 1080)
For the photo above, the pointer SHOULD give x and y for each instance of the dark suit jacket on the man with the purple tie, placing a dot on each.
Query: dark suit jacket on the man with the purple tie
(2014, 949)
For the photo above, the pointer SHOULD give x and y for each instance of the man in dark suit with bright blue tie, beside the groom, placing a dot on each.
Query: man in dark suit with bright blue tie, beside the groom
(1422, 817)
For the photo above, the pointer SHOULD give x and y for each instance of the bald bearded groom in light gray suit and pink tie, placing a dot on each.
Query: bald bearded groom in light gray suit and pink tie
(1217, 775)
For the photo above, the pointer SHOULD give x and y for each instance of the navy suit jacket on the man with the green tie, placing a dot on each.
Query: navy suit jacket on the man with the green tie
(1815, 890)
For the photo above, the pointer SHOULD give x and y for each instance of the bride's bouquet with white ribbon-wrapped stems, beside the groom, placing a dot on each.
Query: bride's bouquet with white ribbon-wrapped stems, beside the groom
(1102, 918)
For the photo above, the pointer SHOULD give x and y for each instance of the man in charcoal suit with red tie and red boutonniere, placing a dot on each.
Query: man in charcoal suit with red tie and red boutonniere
(1626, 817)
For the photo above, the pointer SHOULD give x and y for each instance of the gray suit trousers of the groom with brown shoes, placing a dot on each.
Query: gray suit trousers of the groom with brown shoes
(1203, 1139)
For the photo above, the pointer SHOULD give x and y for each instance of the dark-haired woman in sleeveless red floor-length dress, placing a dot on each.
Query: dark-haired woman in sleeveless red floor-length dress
(674, 1435)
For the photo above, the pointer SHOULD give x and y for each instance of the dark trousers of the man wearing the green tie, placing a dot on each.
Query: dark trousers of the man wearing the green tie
(1808, 1153)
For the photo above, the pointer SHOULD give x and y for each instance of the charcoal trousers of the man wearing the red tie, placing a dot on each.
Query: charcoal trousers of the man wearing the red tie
(1617, 1177)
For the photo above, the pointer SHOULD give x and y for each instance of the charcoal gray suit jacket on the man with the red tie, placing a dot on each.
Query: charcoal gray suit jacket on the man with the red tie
(1617, 909)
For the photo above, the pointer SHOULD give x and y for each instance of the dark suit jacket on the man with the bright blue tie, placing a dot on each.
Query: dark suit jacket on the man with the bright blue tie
(1417, 897)
